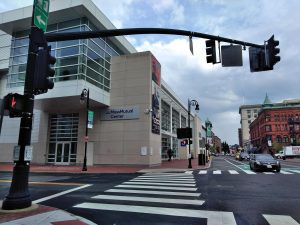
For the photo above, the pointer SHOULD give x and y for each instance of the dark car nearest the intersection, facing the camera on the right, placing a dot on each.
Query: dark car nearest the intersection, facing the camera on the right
(264, 162)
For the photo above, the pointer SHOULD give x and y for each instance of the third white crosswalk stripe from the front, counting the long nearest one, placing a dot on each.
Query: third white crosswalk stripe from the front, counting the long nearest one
(154, 192)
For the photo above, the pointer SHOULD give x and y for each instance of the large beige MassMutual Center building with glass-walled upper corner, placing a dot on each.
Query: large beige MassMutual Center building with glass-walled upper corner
(136, 113)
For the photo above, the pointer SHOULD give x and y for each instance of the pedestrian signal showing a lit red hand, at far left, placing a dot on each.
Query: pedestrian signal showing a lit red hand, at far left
(15, 104)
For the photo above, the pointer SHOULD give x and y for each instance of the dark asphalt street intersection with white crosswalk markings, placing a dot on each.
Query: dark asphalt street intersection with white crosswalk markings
(226, 193)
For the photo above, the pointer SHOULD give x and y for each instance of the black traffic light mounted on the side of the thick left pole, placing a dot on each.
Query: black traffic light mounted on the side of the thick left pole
(43, 71)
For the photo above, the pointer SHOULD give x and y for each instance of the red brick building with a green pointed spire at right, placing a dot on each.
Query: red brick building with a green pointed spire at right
(278, 123)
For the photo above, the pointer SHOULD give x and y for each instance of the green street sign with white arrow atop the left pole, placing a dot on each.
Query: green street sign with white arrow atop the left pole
(41, 11)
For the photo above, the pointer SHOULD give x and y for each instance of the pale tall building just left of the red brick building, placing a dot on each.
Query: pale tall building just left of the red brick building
(248, 114)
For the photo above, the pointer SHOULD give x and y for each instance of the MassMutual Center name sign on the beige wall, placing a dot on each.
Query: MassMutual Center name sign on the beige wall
(121, 113)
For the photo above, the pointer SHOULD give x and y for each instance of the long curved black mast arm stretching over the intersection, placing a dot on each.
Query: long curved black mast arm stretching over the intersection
(135, 31)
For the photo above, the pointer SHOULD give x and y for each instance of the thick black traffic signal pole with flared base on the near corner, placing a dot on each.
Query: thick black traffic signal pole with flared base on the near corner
(19, 196)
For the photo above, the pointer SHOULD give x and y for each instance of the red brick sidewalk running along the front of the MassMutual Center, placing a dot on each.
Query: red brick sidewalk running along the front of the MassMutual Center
(166, 166)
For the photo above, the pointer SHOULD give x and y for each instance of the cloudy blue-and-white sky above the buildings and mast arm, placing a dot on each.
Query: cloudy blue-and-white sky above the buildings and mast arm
(220, 91)
